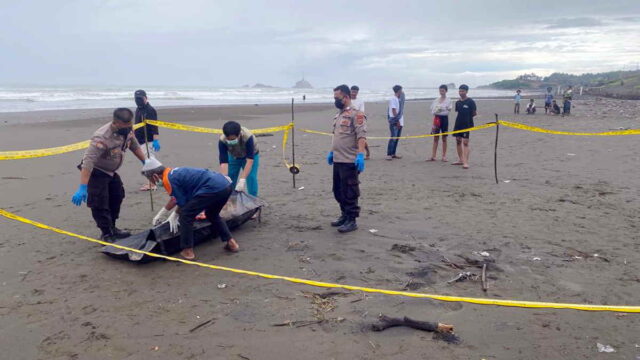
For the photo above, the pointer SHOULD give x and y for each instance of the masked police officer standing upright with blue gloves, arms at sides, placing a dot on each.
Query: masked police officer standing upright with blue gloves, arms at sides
(347, 158)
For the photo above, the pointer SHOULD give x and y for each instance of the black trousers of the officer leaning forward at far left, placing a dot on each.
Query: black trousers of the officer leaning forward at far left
(104, 196)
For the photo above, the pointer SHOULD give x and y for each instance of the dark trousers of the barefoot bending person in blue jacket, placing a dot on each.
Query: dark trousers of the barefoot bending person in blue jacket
(211, 204)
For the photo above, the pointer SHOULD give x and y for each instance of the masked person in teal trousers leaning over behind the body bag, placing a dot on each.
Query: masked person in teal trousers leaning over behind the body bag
(238, 150)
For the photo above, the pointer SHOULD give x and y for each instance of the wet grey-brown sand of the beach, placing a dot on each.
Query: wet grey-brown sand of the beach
(566, 199)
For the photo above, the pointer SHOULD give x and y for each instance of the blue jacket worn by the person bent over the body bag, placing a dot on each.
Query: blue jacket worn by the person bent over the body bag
(187, 183)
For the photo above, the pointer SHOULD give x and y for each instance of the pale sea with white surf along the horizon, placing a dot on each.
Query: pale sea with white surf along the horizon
(19, 99)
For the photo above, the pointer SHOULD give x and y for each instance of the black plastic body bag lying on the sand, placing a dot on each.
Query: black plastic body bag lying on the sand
(160, 240)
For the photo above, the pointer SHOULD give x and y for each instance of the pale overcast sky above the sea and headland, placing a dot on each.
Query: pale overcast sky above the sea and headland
(372, 43)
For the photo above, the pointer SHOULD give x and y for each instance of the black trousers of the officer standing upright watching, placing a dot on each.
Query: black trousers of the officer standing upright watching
(346, 188)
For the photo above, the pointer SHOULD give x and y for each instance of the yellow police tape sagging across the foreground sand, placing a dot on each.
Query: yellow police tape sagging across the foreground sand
(479, 301)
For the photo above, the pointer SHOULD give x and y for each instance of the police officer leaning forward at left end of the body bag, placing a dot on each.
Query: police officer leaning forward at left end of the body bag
(100, 185)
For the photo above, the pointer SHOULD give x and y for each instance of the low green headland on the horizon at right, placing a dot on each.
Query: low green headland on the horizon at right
(616, 84)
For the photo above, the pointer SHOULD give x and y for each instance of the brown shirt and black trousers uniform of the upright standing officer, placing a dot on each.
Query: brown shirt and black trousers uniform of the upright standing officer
(349, 126)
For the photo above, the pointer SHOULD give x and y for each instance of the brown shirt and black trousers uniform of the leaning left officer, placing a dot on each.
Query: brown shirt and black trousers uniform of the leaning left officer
(103, 158)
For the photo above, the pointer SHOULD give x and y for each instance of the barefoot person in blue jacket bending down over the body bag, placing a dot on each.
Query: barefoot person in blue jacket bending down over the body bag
(193, 191)
